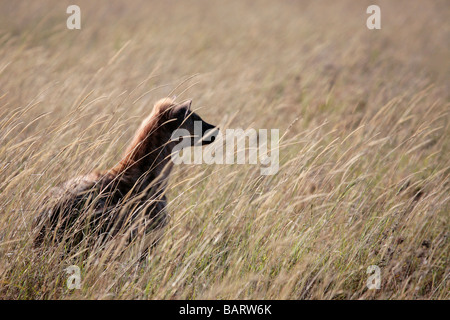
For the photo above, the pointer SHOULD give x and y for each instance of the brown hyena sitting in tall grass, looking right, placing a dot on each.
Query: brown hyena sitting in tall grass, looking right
(129, 198)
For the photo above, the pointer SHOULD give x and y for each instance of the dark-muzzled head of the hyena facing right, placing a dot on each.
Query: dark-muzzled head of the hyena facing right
(188, 126)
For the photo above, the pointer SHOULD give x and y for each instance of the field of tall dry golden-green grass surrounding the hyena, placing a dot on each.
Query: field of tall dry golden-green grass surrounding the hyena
(364, 154)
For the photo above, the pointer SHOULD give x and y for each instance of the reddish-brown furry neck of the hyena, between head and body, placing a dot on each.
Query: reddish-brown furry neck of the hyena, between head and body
(147, 159)
